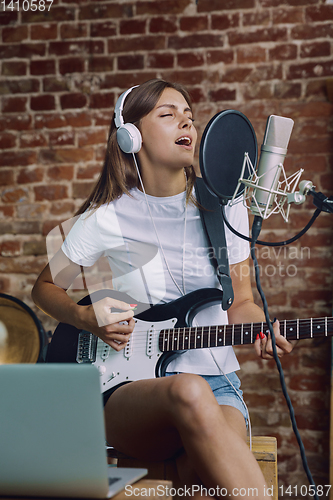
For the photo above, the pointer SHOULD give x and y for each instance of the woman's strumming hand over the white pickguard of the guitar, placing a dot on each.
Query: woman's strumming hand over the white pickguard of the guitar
(114, 328)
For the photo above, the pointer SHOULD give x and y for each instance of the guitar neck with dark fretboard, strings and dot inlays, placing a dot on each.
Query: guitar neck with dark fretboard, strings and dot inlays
(178, 339)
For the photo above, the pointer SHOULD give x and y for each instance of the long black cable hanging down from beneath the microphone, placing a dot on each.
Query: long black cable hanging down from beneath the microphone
(256, 228)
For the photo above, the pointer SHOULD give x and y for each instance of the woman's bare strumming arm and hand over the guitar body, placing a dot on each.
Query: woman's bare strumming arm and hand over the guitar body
(49, 294)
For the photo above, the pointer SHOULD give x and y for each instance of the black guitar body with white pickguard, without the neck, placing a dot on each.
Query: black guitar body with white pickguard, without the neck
(142, 357)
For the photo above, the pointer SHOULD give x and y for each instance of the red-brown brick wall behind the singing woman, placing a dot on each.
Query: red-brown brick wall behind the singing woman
(60, 74)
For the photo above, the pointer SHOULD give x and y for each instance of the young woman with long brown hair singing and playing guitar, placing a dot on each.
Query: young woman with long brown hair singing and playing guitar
(143, 216)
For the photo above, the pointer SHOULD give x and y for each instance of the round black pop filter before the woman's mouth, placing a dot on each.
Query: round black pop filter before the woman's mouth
(226, 138)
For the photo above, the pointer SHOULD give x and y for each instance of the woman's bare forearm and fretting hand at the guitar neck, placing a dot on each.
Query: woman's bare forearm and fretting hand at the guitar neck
(244, 310)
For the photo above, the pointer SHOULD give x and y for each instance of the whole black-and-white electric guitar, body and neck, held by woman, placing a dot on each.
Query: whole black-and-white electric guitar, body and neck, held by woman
(161, 333)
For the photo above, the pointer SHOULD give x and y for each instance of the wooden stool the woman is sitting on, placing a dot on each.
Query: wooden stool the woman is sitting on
(264, 449)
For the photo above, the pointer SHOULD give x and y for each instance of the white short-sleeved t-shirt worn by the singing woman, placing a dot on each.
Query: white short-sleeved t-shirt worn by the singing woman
(123, 231)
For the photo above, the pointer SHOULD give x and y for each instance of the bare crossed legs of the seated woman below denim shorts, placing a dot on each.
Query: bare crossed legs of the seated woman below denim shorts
(154, 419)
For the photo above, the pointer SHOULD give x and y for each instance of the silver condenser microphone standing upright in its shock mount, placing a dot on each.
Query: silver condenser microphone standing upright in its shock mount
(273, 152)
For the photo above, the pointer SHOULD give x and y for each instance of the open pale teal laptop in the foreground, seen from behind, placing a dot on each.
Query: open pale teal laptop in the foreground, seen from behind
(52, 437)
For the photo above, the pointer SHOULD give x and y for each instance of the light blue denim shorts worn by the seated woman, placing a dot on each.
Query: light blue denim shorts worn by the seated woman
(224, 392)
